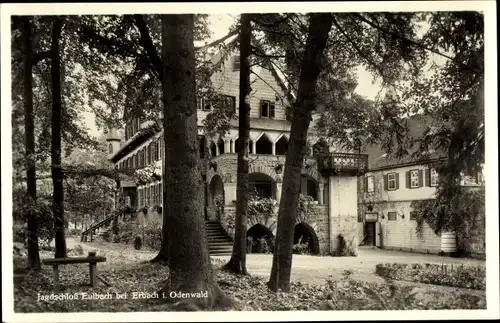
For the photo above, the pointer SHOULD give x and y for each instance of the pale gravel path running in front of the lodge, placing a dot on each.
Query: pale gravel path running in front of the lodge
(306, 269)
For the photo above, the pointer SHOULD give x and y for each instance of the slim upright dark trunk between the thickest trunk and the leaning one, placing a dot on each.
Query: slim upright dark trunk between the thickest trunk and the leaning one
(237, 263)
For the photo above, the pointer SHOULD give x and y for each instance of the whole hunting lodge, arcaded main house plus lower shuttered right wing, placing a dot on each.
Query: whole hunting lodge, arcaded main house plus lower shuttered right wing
(336, 180)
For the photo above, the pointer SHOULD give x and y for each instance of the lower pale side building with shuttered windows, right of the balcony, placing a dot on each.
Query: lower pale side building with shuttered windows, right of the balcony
(386, 218)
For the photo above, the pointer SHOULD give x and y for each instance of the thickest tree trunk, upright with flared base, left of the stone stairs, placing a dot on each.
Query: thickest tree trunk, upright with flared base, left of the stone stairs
(188, 259)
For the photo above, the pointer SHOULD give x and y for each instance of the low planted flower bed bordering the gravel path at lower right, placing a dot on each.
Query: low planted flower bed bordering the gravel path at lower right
(459, 276)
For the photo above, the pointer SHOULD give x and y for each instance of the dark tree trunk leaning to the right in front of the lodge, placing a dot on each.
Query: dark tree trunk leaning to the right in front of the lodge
(319, 27)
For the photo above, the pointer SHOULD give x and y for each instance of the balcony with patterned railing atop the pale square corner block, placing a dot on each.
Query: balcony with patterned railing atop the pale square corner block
(343, 163)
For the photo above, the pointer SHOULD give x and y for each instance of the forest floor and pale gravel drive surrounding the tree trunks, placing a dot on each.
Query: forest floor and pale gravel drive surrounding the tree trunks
(318, 283)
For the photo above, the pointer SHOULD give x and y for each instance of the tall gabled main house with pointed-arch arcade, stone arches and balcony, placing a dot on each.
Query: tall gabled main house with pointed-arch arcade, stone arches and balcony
(329, 178)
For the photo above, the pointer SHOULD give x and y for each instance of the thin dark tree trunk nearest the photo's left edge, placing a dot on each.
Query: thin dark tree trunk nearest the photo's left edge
(29, 124)
